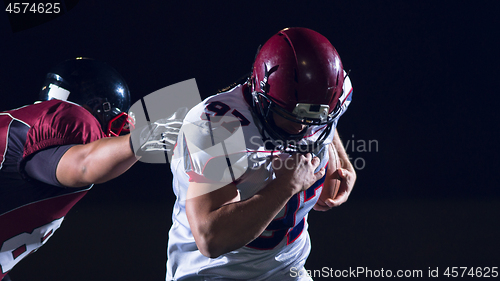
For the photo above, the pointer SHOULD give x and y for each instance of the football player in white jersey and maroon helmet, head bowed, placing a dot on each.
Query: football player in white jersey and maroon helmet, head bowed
(252, 161)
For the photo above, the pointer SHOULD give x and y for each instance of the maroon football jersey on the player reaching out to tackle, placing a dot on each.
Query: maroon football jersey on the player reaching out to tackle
(30, 210)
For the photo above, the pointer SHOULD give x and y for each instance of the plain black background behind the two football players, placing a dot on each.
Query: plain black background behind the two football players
(425, 80)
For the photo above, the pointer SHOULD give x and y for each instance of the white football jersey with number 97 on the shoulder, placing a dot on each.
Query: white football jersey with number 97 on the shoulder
(221, 142)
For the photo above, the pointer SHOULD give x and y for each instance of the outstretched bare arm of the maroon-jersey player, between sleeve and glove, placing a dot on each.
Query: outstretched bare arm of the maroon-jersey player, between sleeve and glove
(95, 162)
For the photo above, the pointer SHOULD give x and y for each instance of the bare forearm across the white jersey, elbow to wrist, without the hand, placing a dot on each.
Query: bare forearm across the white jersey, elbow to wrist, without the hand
(234, 225)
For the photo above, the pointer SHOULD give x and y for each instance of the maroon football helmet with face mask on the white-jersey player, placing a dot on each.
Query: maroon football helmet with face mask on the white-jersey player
(297, 74)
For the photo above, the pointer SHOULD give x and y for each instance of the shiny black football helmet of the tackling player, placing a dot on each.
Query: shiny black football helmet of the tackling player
(97, 87)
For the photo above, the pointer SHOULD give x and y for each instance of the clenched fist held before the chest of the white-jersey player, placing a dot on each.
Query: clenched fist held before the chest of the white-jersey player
(297, 171)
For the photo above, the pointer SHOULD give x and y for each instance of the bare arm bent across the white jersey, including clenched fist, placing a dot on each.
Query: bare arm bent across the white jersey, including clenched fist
(221, 223)
